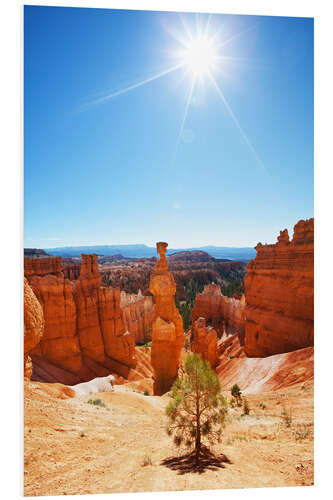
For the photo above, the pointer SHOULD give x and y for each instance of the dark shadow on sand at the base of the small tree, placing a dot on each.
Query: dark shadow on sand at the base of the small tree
(186, 463)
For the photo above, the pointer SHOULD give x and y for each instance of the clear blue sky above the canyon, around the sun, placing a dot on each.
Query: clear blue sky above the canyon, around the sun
(114, 171)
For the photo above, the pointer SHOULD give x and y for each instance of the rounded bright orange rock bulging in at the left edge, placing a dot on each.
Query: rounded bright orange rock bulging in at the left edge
(33, 325)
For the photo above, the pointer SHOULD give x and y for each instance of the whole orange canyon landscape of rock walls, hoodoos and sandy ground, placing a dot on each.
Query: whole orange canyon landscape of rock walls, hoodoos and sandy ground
(76, 329)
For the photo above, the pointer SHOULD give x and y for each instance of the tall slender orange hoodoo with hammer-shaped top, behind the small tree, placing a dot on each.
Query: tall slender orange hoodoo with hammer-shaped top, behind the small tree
(167, 330)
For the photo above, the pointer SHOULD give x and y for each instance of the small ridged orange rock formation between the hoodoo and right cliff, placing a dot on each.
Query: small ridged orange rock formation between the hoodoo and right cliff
(226, 315)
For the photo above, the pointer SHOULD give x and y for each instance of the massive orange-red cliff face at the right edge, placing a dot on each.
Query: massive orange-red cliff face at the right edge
(279, 294)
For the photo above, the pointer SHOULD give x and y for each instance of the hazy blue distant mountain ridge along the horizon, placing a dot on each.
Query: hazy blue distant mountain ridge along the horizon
(138, 251)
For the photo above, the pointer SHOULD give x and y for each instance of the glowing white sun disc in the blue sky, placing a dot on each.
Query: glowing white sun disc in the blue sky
(199, 56)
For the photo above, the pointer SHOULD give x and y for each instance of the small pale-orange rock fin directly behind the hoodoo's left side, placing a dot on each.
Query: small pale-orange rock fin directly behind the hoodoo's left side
(138, 315)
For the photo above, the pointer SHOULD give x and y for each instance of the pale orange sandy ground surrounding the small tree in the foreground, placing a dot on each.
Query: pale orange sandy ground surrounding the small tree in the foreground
(73, 447)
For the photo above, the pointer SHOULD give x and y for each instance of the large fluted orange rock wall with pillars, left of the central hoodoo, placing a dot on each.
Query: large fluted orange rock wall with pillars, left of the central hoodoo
(84, 331)
